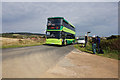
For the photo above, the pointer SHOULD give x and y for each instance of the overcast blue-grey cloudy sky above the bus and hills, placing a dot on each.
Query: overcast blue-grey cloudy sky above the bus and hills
(100, 18)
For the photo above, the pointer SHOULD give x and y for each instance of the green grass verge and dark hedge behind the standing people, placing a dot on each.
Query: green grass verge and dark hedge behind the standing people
(110, 46)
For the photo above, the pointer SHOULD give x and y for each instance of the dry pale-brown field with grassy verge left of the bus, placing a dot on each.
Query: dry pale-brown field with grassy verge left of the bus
(14, 42)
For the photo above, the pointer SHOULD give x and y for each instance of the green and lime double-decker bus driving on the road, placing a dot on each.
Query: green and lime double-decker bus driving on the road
(59, 31)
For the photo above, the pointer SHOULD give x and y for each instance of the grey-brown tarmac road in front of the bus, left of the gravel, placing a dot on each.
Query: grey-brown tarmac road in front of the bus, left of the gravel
(31, 62)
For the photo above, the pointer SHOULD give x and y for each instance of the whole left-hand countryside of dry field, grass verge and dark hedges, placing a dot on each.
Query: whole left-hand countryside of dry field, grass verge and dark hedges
(21, 40)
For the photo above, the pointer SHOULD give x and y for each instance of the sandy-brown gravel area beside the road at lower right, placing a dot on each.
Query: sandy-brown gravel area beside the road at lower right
(78, 64)
